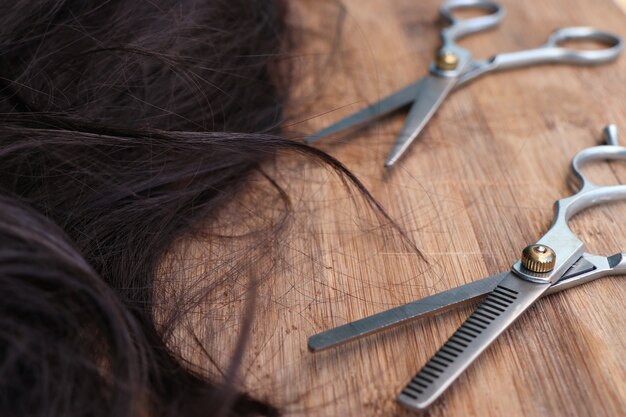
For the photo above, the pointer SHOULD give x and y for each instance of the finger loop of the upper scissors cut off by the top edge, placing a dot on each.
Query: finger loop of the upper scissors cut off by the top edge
(463, 27)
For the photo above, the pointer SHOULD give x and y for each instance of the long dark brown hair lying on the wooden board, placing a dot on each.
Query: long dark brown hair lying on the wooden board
(124, 125)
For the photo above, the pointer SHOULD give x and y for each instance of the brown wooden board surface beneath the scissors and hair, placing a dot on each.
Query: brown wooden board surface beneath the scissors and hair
(476, 187)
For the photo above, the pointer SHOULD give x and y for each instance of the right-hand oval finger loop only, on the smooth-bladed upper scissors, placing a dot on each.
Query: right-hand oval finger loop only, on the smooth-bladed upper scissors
(614, 45)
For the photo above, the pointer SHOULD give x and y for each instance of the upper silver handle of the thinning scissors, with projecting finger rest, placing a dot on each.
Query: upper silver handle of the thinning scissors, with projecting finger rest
(560, 237)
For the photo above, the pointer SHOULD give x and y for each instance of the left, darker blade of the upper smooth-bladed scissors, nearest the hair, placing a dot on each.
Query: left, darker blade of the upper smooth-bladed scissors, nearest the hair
(380, 108)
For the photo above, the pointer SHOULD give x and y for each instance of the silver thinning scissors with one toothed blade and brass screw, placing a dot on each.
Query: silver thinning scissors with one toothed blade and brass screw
(556, 262)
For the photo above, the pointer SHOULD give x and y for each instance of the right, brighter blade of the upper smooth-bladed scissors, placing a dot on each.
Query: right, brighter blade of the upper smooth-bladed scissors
(433, 90)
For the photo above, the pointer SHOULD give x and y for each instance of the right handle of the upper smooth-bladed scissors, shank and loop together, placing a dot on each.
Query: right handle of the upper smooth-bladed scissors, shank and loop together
(552, 52)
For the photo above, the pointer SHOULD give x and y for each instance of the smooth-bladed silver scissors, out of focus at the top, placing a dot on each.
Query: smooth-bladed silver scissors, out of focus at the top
(455, 67)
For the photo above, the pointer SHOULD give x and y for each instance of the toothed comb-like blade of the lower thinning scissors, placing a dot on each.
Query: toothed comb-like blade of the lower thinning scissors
(496, 313)
